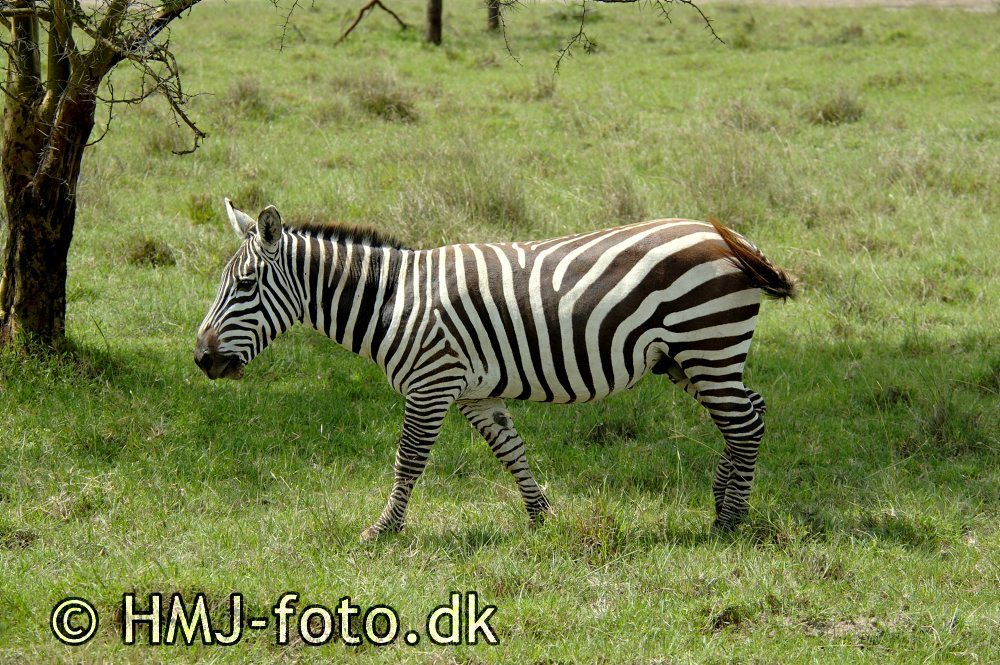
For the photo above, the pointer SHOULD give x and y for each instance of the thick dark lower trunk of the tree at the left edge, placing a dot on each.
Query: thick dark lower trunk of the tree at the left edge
(40, 198)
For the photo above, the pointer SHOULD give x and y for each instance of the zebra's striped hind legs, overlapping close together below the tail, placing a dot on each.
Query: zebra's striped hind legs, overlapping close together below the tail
(738, 413)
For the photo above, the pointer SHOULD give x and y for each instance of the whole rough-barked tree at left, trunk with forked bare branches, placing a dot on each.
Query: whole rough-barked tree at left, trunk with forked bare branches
(48, 119)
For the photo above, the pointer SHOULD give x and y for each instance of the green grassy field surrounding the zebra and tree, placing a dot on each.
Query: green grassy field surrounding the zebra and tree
(858, 148)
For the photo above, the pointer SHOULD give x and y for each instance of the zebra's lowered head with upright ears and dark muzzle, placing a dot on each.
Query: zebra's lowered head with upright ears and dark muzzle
(257, 300)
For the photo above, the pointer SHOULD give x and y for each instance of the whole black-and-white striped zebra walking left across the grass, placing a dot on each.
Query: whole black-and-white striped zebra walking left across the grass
(569, 319)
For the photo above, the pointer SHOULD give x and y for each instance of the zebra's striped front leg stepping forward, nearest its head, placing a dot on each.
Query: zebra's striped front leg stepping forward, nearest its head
(422, 422)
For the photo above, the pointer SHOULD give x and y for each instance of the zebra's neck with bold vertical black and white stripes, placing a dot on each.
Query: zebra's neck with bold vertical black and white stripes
(345, 287)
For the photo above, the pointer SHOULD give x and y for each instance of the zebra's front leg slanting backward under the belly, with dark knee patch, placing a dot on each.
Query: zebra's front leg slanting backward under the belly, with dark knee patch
(491, 418)
